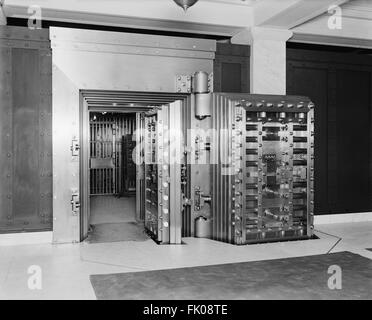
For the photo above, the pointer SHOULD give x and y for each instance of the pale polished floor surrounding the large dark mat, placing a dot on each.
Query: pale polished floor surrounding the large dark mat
(66, 268)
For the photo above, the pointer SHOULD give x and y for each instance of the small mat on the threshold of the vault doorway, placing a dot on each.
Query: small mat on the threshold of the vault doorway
(115, 232)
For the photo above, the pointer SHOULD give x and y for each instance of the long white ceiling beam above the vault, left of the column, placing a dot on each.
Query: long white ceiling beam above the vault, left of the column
(208, 12)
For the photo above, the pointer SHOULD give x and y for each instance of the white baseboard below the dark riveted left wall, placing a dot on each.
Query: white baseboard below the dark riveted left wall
(15, 239)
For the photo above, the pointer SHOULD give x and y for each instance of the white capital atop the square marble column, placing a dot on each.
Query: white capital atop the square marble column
(250, 35)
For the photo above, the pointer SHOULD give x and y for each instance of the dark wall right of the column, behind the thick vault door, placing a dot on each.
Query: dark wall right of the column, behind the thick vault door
(340, 85)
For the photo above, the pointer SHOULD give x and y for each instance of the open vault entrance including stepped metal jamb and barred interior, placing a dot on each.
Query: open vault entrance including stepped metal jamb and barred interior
(111, 183)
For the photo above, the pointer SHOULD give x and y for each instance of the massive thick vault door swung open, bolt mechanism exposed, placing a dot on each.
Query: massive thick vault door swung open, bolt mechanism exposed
(263, 168)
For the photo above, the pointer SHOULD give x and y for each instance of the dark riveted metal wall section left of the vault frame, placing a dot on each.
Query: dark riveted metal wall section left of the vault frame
(25, 128)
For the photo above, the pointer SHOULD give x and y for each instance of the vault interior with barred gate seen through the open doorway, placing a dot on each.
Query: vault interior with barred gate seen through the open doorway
(112, 170)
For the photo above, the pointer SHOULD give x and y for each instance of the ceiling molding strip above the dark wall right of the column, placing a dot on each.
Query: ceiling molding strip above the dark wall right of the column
(331, 41)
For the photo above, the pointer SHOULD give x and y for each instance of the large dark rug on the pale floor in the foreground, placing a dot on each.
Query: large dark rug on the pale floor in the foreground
(291, 278)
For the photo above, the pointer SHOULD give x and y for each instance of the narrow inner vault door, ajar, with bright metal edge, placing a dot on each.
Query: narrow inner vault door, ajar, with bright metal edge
(163, 143)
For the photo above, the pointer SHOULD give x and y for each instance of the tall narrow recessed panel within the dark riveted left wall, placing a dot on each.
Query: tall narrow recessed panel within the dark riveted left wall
(26, 90)
